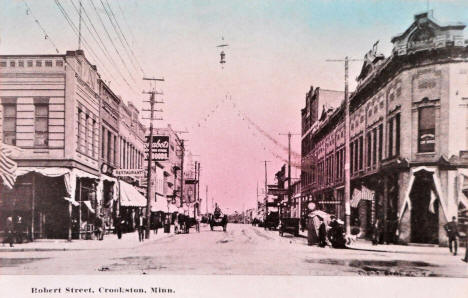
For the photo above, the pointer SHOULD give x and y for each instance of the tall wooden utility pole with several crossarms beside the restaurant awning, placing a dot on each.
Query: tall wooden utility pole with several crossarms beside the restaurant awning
(149, 191)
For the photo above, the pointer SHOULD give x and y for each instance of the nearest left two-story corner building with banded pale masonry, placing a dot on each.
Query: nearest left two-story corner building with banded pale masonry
(50, 109)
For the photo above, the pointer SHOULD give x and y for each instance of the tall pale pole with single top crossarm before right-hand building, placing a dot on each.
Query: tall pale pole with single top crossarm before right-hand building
(347, 169)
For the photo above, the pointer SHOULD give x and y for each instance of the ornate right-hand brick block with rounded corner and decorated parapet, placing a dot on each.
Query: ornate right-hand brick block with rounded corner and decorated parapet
(409, 137)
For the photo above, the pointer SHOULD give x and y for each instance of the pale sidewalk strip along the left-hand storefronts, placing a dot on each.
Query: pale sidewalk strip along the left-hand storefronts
(129, 240)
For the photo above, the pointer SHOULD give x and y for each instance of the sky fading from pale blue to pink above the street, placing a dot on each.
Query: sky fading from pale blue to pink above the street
(277, 51)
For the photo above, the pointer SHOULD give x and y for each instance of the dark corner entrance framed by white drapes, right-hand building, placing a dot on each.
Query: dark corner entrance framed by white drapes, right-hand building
(424, 222)
